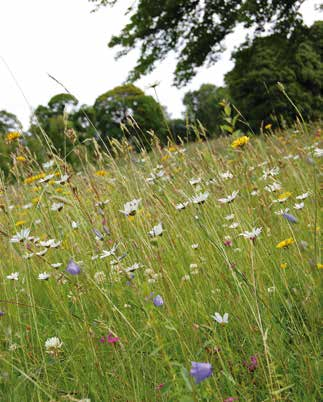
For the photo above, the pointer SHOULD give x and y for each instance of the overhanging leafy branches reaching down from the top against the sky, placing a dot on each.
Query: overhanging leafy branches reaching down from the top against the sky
(195, 29)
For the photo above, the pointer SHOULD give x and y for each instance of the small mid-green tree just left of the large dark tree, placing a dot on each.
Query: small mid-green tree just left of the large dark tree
(203, 105)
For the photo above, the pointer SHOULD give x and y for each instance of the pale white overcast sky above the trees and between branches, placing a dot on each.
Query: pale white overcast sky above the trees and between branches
(63, 38)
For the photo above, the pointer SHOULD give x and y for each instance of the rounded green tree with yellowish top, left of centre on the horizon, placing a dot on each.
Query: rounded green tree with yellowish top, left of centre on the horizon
(129, 107)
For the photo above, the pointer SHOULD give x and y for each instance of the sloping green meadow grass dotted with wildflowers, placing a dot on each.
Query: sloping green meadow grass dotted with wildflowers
(116, 343)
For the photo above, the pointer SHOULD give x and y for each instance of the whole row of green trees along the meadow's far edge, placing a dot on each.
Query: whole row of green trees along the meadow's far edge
(293, 60)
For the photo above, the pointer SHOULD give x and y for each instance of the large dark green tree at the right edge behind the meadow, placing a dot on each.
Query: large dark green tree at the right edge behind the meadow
(295, 62)
